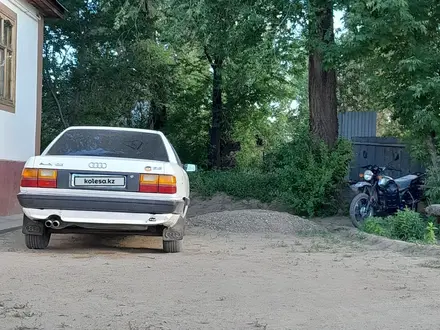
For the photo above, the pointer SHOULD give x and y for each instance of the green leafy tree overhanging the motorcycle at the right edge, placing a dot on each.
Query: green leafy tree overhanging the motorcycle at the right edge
(401, 40)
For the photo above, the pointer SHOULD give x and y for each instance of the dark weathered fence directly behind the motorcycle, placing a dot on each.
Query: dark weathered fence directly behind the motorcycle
(381, 151)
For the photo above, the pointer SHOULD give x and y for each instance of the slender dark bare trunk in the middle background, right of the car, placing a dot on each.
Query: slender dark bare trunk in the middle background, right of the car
(214, 156)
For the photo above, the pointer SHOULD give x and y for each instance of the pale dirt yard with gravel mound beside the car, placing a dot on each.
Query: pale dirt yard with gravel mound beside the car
(239, 270)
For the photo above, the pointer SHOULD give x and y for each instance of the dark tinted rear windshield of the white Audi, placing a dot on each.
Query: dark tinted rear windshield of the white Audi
(110, 143)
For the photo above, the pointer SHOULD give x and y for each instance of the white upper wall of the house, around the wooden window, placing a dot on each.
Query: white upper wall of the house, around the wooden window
(17, 130)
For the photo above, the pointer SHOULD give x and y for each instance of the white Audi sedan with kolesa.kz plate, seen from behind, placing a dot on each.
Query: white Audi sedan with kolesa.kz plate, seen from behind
(105, 180)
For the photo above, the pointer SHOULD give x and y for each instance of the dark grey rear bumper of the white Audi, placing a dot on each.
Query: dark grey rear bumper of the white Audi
(101, 204)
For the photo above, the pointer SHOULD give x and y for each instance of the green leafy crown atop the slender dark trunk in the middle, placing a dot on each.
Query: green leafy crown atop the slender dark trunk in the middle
(226, 29)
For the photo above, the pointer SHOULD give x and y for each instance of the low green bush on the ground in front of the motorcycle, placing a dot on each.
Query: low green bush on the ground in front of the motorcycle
(405, 225)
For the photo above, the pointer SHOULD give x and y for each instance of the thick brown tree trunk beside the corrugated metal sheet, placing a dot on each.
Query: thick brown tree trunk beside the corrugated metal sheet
(322, 81)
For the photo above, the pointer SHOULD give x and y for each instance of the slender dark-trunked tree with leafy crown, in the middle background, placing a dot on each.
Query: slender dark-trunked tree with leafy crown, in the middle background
(223, 30)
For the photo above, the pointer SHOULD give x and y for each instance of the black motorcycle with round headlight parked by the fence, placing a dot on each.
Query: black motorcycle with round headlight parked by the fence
(381, 194)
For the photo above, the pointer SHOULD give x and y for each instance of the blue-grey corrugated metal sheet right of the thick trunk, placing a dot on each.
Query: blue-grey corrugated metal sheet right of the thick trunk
(357, 124)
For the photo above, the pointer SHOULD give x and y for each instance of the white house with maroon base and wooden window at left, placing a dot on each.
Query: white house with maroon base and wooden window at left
(21, 69)
